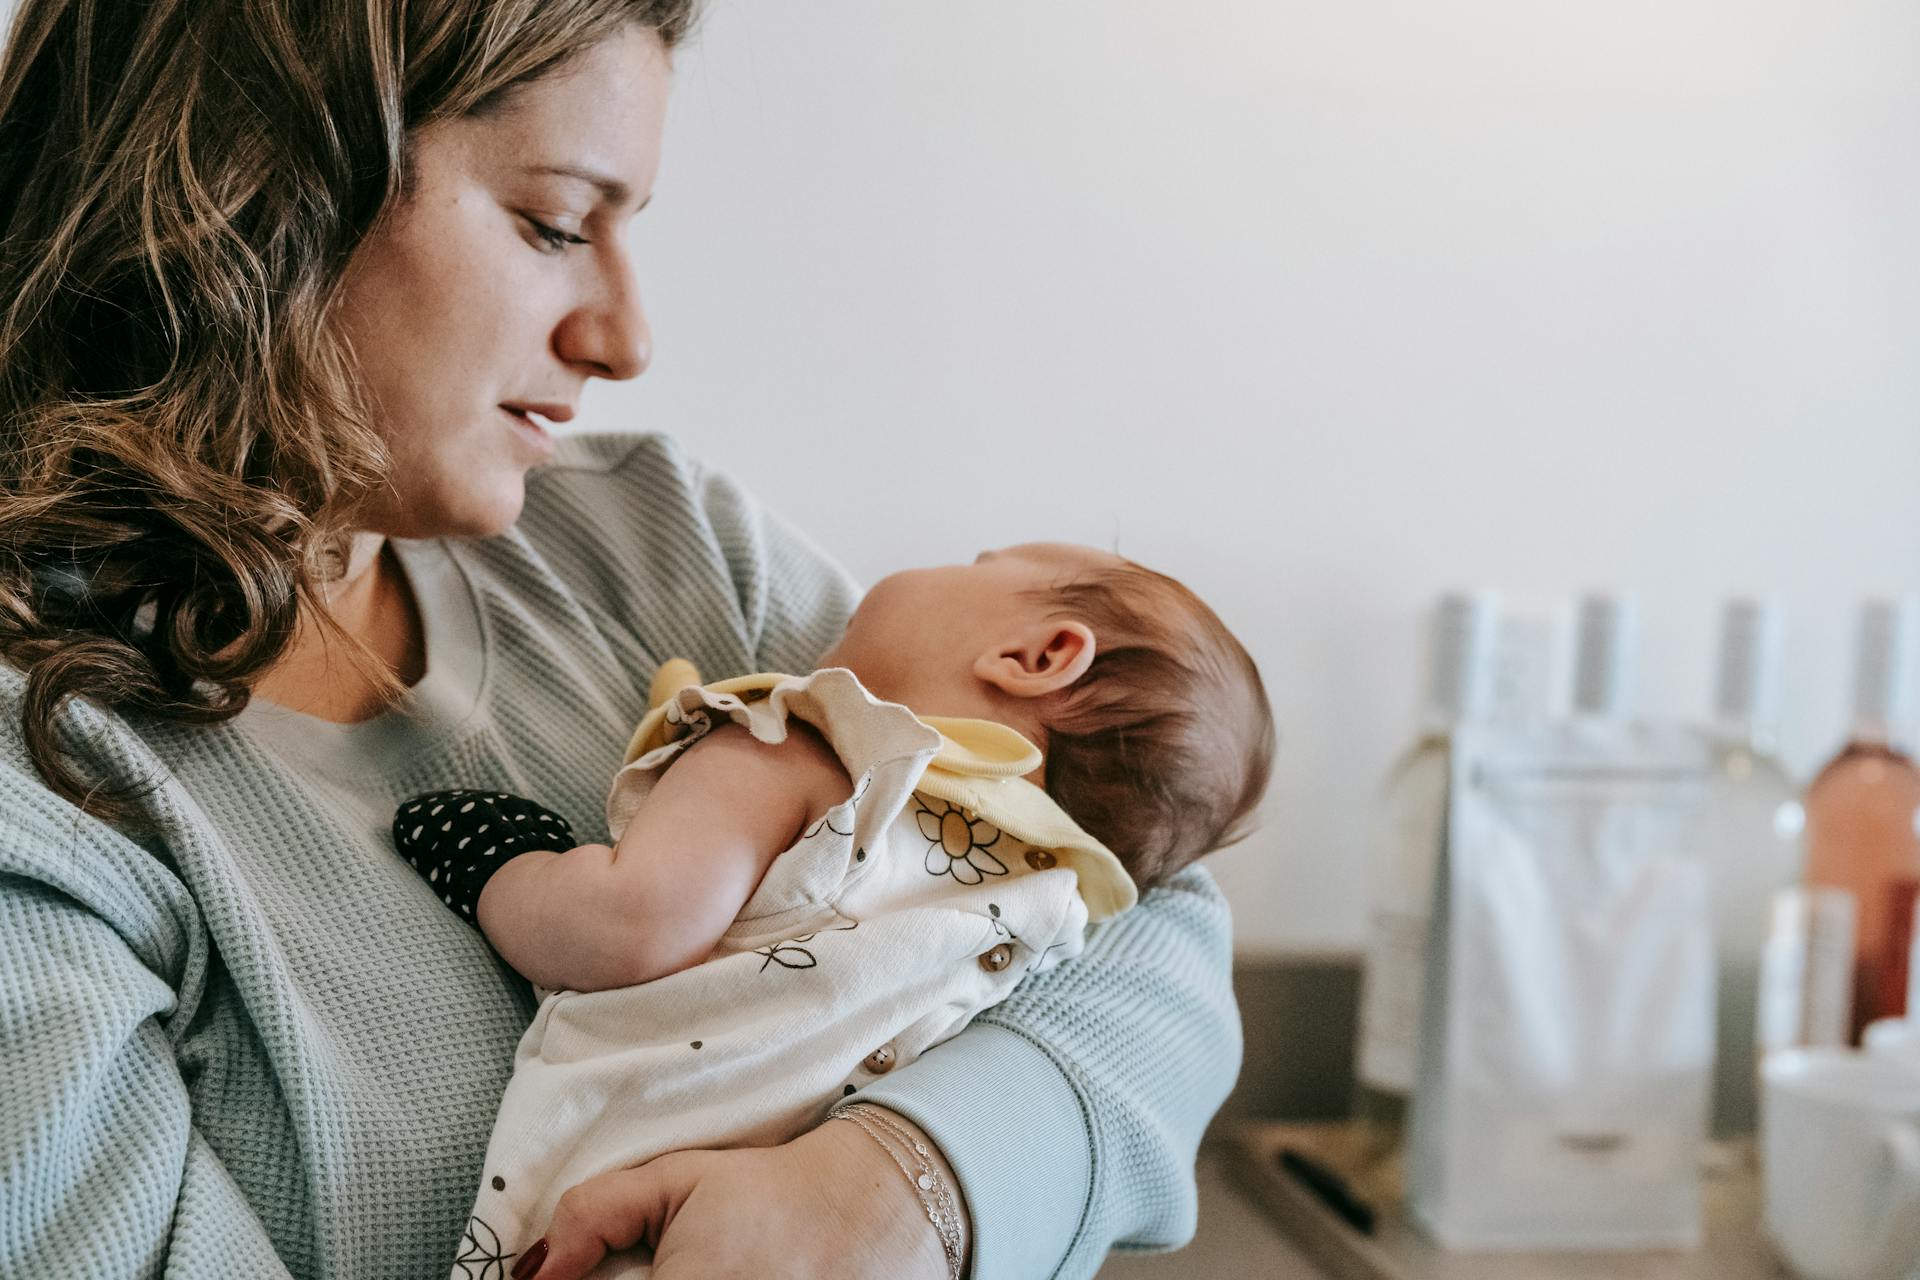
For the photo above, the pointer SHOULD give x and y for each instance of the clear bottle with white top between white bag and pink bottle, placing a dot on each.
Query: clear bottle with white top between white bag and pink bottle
(1752, 845)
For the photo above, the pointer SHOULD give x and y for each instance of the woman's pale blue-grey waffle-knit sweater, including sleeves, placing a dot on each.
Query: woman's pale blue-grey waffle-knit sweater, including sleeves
(256, 1045)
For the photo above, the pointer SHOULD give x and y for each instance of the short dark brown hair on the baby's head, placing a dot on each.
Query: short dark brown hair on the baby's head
(1164, 747)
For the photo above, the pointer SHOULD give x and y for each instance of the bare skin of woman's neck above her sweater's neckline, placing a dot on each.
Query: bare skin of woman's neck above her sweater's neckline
(373, 604)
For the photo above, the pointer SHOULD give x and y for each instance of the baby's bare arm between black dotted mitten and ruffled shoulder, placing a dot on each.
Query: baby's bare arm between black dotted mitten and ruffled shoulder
(688, 861)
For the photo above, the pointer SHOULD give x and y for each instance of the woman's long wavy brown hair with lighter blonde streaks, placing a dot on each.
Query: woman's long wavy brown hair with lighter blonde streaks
(183, 442)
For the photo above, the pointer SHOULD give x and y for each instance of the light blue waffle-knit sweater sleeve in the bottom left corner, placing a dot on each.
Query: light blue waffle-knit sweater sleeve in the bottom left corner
(105, 1170)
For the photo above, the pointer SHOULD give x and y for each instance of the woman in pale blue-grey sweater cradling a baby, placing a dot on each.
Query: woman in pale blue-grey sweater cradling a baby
(283, 540)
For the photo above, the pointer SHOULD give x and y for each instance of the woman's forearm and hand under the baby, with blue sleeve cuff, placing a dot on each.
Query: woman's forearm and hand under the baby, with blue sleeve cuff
(1068, 1116)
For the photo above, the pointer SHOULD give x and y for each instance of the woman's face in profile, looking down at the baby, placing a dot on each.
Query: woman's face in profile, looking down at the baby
(502, 285)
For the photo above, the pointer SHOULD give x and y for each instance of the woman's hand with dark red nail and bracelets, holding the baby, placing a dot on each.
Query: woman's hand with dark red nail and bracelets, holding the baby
(830, 1204)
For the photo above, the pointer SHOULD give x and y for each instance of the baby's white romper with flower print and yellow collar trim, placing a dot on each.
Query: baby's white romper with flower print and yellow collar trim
(882, 932)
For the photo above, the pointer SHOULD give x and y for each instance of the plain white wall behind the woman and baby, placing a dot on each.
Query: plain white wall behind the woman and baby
(1322, 308)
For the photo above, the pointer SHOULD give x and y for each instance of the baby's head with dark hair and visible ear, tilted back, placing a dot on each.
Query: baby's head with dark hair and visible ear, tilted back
(1151, 715)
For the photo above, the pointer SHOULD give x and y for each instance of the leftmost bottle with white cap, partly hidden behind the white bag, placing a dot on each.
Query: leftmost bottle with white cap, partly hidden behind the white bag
(1412, 826)
